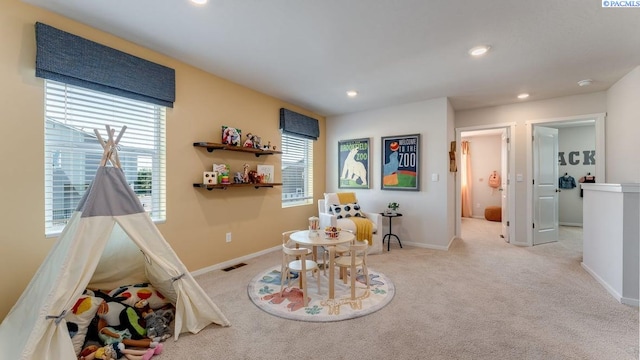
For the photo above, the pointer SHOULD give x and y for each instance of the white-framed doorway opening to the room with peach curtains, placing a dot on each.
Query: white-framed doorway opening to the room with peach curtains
(495, 141)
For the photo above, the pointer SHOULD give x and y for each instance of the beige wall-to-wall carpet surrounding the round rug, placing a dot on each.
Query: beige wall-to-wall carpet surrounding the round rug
(482, 299)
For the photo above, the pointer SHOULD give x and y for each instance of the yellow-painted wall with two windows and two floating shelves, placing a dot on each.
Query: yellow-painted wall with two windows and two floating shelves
(197, 220)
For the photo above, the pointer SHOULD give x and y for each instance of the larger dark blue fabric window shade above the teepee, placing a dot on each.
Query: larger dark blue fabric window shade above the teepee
(70, 59)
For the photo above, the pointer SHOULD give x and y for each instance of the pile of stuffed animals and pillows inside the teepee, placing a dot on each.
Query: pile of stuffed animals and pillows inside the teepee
(135, 316)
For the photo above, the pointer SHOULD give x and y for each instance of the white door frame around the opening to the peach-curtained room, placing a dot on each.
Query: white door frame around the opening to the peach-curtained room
(510, 176)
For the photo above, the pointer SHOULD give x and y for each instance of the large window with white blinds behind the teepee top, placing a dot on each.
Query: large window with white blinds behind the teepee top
(73, 153)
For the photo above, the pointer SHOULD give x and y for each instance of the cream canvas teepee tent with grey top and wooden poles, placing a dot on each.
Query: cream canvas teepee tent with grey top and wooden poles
(109, 241)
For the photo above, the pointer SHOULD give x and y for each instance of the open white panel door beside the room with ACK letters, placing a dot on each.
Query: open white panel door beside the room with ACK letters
(545, 185)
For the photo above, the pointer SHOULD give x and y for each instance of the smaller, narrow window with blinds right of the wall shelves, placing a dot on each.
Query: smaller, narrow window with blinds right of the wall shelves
(297, 171)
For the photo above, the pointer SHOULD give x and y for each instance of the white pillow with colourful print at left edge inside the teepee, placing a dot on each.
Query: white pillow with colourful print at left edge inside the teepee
(79, 318)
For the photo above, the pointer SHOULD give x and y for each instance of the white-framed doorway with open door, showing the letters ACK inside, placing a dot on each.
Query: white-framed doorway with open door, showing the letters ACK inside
(553, 160)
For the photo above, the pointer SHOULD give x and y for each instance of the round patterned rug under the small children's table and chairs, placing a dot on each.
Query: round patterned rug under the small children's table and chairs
(264, 291)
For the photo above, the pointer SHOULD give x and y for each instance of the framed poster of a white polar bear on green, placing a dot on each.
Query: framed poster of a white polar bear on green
(353, 164)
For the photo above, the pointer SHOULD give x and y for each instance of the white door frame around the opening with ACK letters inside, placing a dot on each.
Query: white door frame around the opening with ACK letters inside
(599, 157)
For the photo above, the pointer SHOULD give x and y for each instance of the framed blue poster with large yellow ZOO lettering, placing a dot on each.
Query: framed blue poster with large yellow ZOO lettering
(400, 160)
